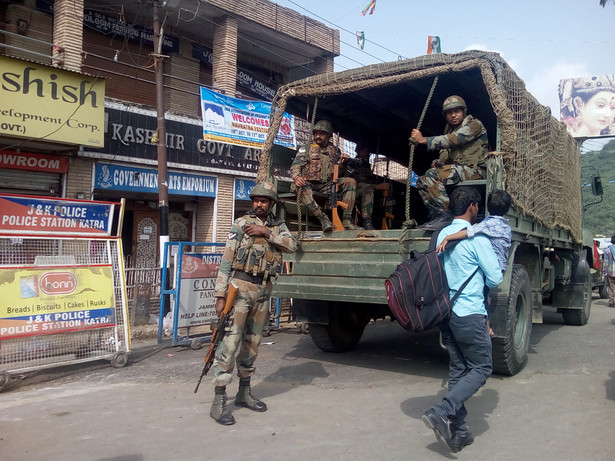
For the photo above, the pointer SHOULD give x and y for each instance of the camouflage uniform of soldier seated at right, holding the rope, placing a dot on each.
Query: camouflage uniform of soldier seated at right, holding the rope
(461, 150)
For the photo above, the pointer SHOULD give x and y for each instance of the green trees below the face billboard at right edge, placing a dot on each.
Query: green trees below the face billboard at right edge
(600, 218)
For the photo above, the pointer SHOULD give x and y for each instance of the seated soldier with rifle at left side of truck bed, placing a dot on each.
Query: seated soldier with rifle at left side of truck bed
(312, 170)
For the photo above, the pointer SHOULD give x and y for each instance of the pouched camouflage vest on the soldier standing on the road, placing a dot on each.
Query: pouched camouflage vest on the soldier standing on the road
(255, 255)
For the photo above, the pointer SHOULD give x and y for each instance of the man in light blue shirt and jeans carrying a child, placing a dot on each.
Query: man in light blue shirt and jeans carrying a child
(464, 334)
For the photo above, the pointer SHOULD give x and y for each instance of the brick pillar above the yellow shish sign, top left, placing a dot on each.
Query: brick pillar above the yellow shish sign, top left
(68, 33)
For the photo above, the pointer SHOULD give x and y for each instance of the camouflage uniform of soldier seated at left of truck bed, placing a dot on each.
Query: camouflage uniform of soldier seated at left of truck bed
(316, 166)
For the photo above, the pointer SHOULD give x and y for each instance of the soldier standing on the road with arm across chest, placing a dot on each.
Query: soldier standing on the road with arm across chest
(252, 257)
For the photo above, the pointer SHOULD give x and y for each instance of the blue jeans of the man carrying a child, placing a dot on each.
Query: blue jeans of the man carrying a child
(469, 347)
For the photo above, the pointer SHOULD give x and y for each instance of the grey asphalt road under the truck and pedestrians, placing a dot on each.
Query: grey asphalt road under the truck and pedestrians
(363, 405)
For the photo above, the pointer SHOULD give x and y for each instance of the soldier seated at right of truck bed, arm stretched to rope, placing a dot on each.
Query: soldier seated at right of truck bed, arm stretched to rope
(463, 147)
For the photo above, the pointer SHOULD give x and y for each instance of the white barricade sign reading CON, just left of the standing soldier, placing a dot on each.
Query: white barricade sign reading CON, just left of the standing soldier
(197, 305)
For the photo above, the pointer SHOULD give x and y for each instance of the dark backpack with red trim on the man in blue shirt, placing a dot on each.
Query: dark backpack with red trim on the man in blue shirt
(418, 292)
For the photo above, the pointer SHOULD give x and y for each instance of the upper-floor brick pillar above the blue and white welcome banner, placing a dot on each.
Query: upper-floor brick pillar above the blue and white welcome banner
(224, 66)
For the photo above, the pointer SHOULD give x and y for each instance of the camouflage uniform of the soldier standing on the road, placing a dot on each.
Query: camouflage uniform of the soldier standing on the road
(250, 262)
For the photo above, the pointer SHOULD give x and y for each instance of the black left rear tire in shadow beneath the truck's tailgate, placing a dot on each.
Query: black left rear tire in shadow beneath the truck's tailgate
(345, 328)
